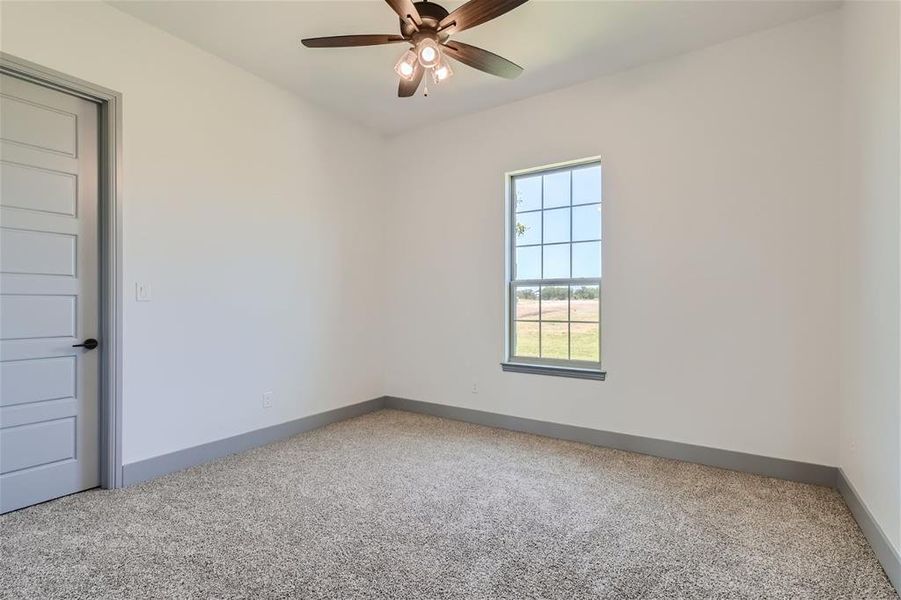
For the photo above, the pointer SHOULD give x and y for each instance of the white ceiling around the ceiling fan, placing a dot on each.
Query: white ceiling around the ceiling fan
(559, 43)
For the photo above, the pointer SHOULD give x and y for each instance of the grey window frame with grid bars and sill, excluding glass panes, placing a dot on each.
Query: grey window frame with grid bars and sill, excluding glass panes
(539, 365)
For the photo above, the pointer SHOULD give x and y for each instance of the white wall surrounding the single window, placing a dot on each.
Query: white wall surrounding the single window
(720, 308)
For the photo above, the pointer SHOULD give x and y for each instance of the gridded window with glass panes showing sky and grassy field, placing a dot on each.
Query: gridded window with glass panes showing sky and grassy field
(554, 286)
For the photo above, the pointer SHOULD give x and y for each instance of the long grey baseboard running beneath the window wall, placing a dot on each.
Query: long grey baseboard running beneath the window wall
(714, 457)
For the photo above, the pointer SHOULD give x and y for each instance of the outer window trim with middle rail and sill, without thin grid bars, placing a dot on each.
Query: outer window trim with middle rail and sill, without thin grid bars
(543, 366)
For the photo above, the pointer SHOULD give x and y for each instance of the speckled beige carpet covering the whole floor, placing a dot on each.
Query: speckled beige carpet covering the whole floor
(398, 505)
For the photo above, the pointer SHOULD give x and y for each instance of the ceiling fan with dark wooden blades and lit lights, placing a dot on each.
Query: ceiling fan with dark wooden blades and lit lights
(427, 27)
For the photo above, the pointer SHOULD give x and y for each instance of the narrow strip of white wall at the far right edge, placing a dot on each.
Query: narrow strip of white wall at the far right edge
(870, 415)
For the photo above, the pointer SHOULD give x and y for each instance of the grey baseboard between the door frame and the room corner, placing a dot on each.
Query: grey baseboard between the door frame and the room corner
(158, 466)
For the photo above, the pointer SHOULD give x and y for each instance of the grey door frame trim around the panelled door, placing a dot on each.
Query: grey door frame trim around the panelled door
(110, 232)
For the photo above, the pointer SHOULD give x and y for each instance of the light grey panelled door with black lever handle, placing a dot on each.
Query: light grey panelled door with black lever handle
(48, 294)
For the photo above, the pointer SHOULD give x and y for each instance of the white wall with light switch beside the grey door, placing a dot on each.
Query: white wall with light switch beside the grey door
(252, 216)
